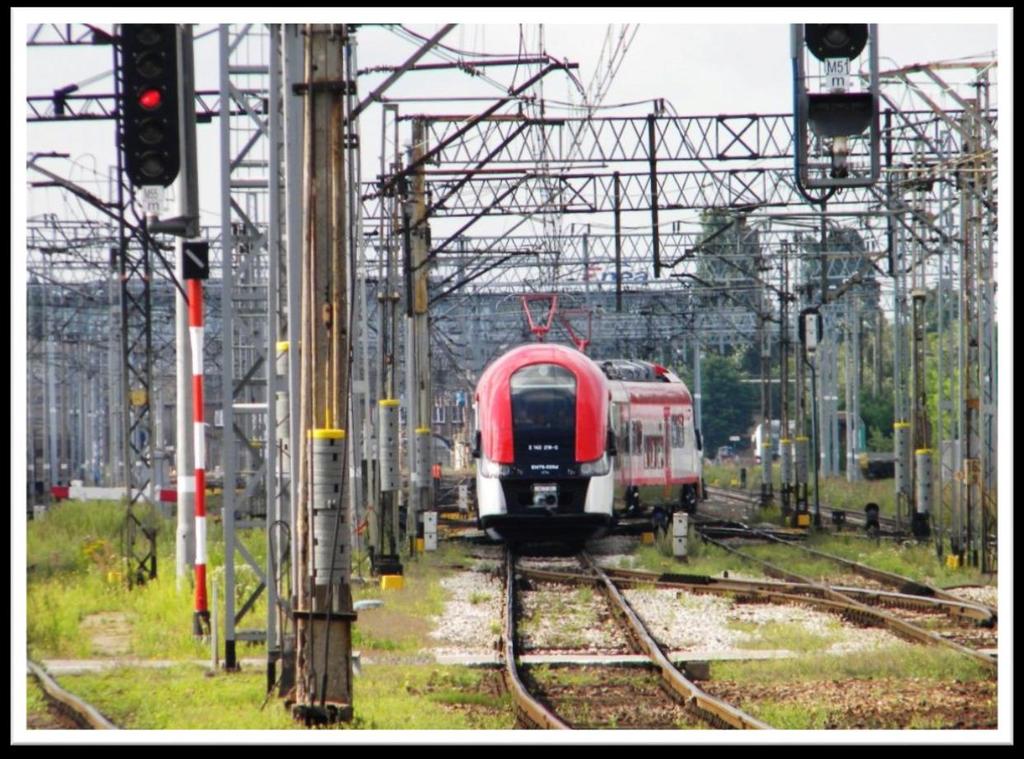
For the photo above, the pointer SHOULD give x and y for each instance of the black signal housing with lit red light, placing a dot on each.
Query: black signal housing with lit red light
(150, 103)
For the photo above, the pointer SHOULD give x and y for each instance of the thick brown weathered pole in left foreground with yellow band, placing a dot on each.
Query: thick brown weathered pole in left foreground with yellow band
(324, 613)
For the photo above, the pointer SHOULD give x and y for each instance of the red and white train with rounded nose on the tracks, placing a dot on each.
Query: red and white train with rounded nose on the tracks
(566, 445)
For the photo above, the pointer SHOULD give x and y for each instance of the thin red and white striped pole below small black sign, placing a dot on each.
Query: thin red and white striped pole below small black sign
(201, 619)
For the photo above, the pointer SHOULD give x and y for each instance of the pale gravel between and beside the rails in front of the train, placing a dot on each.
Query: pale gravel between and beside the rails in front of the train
(558, 617)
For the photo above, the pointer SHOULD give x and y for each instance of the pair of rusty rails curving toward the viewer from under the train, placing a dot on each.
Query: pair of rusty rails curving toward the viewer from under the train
(537, 711)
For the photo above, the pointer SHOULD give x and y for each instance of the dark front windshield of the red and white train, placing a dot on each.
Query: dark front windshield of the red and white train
(544, 416)
